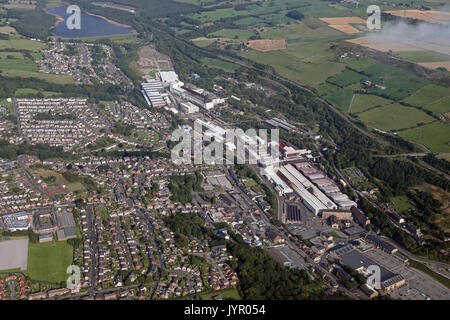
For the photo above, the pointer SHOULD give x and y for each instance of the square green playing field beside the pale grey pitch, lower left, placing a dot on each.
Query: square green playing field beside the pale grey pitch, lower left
(49, 261)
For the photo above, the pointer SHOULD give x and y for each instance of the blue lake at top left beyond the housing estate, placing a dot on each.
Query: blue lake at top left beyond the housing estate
(91, 26)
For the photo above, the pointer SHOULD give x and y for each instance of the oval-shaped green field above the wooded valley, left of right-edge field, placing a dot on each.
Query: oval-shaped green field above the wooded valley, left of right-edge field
(394, 117)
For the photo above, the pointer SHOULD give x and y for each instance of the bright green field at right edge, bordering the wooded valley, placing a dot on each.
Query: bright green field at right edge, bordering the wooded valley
(435, 136)
